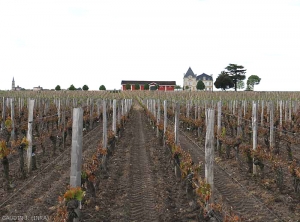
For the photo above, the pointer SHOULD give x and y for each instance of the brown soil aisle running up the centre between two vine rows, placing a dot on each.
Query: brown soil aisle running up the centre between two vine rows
(123, 189)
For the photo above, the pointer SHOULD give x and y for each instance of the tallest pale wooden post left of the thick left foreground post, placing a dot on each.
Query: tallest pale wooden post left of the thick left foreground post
(29, 135)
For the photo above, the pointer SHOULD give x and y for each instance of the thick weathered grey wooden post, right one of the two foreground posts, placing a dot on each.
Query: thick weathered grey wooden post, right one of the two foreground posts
(209, 153)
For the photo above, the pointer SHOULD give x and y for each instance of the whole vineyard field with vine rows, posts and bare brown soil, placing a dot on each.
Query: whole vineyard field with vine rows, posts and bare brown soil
(150, 156)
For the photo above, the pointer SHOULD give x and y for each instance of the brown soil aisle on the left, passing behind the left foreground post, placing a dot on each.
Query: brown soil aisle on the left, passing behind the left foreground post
(34, 198)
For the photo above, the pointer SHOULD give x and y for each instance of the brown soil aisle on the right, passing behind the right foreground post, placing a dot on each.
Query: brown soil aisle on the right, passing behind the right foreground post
(248, 196)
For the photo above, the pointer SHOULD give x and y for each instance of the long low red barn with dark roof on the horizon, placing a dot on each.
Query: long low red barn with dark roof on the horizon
(153, 85)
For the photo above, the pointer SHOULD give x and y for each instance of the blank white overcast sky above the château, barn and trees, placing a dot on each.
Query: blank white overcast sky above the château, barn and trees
(59, 42)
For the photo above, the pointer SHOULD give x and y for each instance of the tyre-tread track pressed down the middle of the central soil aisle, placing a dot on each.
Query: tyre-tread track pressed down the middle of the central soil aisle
(142, 196)
